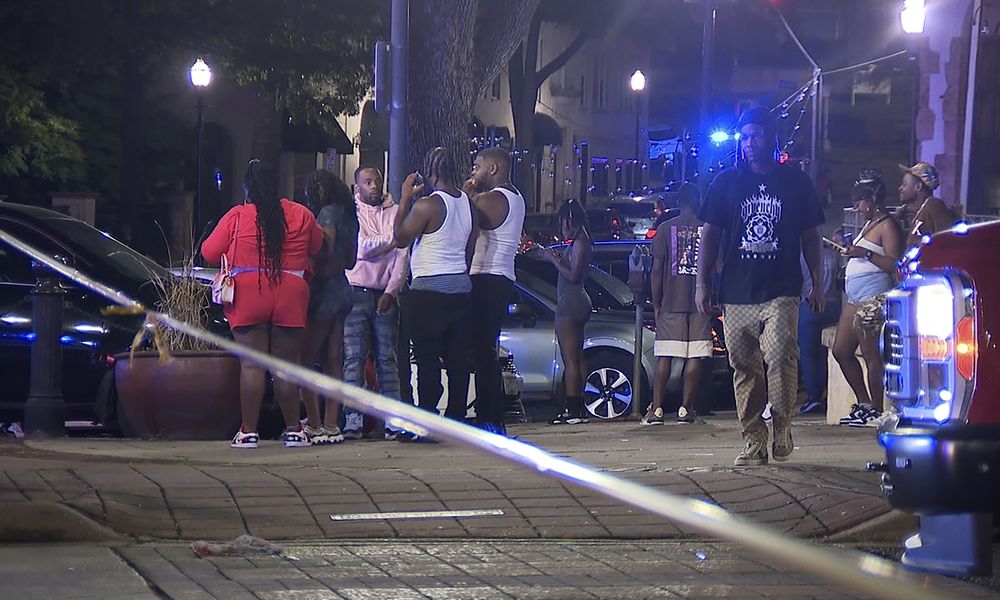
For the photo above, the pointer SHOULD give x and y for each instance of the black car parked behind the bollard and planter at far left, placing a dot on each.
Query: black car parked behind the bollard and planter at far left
(90, 340)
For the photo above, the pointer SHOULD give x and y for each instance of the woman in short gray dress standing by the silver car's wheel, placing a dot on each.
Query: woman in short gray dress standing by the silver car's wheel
(573, 307)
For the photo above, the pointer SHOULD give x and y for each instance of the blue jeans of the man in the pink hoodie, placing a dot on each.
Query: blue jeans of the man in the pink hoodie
(363, 326)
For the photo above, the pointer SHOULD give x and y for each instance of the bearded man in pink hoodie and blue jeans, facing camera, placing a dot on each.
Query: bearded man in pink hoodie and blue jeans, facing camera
(378, 275)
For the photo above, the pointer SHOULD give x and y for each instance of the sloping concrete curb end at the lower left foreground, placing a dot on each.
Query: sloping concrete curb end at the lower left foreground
(47, 522)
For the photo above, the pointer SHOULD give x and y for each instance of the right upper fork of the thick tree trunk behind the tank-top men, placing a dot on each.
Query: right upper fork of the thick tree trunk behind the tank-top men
(497, 38)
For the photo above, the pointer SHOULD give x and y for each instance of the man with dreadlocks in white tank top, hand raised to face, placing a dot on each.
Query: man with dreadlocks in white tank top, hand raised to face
(442, 230)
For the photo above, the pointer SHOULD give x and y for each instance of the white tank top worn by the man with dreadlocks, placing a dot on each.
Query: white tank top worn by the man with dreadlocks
(443, 252)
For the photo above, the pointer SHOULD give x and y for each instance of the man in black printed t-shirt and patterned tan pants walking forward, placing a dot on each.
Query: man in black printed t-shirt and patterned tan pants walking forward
(761, 215)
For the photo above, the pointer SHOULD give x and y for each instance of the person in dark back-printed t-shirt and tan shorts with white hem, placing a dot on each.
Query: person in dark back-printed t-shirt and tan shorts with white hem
(681, 331)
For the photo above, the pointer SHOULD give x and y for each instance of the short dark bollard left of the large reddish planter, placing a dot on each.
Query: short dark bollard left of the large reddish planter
(44, 411)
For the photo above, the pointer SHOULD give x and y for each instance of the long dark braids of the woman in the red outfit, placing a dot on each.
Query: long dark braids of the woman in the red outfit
(261, 189)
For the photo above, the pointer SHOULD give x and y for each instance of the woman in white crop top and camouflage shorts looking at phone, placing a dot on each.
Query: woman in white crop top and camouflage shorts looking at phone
(871, 271)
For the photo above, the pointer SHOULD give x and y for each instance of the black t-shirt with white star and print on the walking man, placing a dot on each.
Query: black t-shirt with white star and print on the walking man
(763, 217)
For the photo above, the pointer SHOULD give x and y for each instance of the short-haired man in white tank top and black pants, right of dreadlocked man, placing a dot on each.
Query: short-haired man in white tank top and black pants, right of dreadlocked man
(500, 209)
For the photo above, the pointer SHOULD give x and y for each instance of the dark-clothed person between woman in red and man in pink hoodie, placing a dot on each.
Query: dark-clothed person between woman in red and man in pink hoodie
(330, 298)
